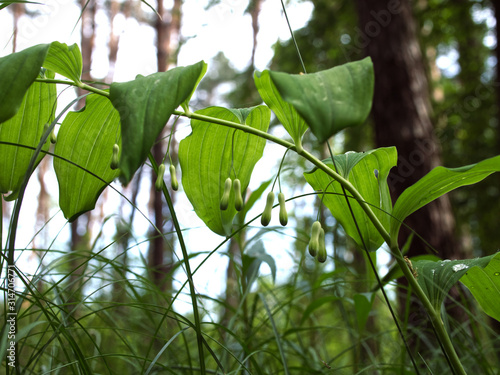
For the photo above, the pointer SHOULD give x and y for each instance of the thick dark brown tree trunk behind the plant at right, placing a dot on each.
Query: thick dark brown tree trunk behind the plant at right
(402, 117)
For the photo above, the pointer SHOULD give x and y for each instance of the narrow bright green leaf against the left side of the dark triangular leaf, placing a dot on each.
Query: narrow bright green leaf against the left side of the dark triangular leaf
(286, 113)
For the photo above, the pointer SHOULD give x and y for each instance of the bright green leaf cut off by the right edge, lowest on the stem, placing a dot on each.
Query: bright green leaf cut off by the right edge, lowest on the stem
(484, 284)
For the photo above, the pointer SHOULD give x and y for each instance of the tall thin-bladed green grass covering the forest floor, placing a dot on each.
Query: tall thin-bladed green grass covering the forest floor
(112, 319)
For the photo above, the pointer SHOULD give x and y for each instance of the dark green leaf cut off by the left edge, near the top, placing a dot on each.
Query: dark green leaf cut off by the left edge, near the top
(17, 72)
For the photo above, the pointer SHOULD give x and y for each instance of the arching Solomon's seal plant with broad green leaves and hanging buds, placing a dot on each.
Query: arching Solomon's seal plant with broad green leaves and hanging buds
(132, 114)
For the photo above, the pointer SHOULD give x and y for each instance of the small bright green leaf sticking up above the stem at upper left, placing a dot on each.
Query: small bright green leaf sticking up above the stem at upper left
(67, 61)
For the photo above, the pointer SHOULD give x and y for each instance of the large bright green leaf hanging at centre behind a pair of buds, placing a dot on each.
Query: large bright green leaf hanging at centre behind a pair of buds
(212, 153)
